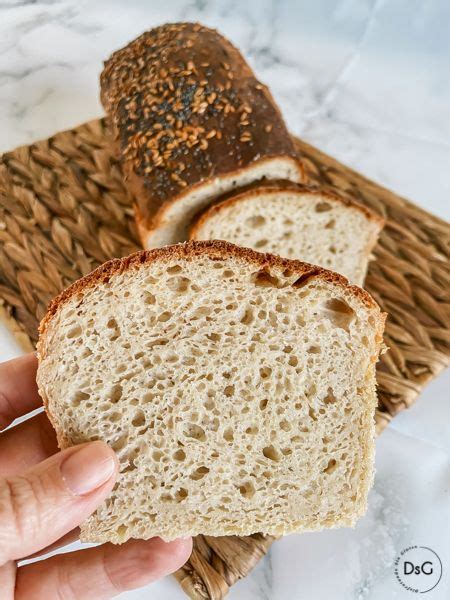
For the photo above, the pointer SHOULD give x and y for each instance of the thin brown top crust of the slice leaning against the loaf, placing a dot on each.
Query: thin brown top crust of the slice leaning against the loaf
(252, 191)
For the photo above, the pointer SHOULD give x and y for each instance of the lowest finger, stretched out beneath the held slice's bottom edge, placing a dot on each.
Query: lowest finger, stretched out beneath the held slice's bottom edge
(101, 572)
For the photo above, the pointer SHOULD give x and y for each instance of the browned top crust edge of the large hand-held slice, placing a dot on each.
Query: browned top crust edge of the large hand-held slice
(215, 250)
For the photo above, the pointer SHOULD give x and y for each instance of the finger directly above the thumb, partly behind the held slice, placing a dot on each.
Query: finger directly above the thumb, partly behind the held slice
(26, 445)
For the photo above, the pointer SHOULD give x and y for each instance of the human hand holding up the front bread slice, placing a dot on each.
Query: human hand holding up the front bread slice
(45, 494)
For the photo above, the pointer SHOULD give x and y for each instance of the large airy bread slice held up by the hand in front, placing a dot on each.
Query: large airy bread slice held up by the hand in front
(237, 388)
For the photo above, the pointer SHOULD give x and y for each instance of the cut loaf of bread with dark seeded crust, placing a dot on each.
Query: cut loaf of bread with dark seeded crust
(192, 122)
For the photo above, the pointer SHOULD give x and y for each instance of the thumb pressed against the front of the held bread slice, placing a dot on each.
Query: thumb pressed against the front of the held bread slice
(49, 500)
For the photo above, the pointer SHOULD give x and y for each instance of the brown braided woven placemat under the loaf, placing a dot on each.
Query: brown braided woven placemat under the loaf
(64, 210)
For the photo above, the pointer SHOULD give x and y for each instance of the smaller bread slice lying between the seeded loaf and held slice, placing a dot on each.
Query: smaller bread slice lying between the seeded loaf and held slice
(299, 222)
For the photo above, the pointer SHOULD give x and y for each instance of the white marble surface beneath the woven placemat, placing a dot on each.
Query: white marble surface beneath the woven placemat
(365, 80)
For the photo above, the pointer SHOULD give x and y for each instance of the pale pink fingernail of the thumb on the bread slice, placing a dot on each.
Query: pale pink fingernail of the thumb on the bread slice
(88, 468)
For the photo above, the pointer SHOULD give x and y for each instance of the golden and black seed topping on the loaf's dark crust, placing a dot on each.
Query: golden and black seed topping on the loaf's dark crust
(176, 112)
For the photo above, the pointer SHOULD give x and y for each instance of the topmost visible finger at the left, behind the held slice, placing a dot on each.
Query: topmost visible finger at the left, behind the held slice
(18, 389)
